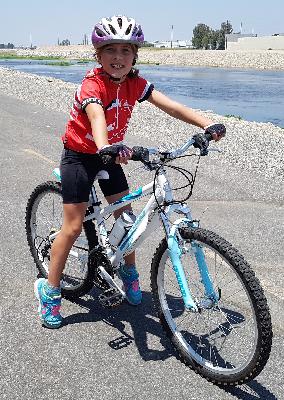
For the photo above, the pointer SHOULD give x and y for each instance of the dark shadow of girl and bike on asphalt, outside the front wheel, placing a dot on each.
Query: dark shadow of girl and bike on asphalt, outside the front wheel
(143, 321)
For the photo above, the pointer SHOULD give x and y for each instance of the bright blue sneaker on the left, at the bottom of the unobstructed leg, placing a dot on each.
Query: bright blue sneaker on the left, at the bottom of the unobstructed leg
(49, 304)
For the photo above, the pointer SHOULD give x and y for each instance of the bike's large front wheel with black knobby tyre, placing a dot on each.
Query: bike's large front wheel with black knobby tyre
(227, 342)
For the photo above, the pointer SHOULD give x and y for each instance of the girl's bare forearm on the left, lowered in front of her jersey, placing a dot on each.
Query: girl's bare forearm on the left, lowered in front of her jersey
(97, 120)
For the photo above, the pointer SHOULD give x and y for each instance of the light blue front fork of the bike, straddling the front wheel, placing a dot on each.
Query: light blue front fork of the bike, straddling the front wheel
(175, 253)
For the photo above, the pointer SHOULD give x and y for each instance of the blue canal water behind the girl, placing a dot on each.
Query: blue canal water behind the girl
(250, 94)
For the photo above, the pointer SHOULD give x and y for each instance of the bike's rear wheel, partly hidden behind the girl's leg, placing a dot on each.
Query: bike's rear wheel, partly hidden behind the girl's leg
(44, 216)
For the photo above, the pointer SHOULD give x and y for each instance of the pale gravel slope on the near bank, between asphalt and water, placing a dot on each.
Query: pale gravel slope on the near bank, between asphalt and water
(249, 148)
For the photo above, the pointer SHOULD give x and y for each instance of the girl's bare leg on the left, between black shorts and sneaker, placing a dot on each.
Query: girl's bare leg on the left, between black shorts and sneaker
(73, 215)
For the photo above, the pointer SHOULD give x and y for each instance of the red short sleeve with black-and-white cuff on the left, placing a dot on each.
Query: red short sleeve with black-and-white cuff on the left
(89, 92)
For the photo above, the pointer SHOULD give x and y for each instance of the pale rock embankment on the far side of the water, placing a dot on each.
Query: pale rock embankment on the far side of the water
(270, 59)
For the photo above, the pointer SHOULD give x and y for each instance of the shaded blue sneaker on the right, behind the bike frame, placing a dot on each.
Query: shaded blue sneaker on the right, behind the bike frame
(129, 277)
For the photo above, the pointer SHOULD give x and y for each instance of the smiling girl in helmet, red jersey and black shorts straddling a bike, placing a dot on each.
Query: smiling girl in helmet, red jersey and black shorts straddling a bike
(98, 122)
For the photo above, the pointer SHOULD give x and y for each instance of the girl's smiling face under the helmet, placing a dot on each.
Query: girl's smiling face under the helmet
(116, 59)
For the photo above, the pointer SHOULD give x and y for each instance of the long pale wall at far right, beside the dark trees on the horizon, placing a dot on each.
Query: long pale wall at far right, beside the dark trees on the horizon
(257, 43)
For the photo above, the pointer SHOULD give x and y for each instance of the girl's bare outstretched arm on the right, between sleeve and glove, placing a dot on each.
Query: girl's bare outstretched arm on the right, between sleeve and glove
(177, 110)
